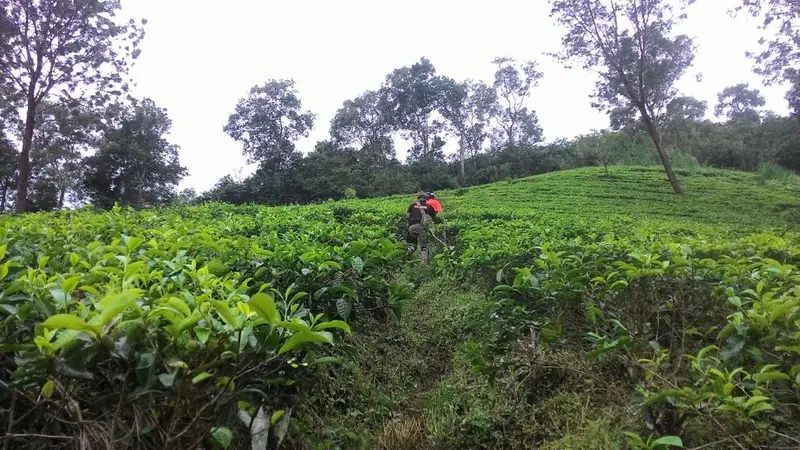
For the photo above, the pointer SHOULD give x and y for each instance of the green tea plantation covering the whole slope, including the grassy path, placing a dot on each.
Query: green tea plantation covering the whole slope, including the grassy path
(569, 310)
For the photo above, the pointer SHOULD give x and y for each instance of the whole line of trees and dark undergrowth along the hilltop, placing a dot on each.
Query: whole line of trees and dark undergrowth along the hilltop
(71, 133)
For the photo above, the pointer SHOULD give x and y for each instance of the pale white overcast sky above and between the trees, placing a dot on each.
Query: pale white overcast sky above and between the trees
(199, 57)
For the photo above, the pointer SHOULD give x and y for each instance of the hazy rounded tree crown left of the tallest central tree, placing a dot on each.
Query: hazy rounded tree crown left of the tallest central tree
(364, 122)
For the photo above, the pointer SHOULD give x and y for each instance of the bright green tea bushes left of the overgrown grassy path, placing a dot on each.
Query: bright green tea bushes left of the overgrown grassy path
(165, 326)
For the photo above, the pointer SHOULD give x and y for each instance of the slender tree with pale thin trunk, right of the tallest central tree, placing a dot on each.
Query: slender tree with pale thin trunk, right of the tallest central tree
(467, 107)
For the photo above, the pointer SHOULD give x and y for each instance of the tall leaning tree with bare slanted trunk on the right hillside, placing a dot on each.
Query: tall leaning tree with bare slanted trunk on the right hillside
(627, 43)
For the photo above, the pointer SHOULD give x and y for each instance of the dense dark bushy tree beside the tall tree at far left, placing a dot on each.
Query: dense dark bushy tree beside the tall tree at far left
(134, 165)
